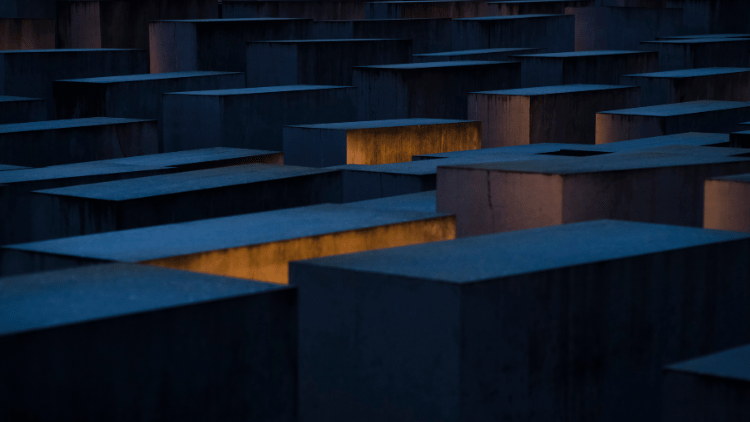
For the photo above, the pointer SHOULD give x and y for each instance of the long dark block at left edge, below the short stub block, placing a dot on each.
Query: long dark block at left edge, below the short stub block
(54, 142)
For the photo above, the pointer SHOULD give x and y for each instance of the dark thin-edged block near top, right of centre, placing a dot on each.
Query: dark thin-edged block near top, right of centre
(556, 33)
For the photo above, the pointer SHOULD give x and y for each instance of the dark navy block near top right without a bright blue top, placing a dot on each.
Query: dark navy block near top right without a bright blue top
(622, 28)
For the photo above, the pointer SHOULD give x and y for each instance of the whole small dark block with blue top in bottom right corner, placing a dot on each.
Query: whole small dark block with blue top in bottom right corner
(710, 387)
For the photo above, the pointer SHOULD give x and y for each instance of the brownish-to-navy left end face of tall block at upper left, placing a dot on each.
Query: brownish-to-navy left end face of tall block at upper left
(173, 46)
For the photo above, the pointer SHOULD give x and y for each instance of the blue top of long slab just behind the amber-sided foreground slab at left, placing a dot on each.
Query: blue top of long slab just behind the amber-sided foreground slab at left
(143, 187)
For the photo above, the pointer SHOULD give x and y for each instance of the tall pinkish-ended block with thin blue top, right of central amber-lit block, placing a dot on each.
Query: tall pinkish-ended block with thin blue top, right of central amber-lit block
(534, 115)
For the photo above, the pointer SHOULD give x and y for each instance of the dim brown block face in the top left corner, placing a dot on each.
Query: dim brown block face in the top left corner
(27, 34)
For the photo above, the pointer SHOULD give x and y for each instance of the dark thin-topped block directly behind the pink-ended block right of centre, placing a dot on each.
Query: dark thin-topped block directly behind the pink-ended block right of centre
(584, 67)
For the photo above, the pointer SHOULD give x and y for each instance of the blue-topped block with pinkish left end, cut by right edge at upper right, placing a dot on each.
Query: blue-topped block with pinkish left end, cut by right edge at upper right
(667, 119)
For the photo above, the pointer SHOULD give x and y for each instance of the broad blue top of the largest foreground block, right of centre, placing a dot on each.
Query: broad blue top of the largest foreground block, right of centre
(514, 253)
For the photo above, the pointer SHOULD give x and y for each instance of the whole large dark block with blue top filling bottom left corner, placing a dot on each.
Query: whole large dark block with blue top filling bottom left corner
(166, 346)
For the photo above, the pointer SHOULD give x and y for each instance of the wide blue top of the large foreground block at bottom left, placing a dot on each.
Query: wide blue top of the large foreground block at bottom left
(49, 299)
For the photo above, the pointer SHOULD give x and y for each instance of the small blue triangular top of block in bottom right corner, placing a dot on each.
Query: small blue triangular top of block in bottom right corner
(732, 364)
